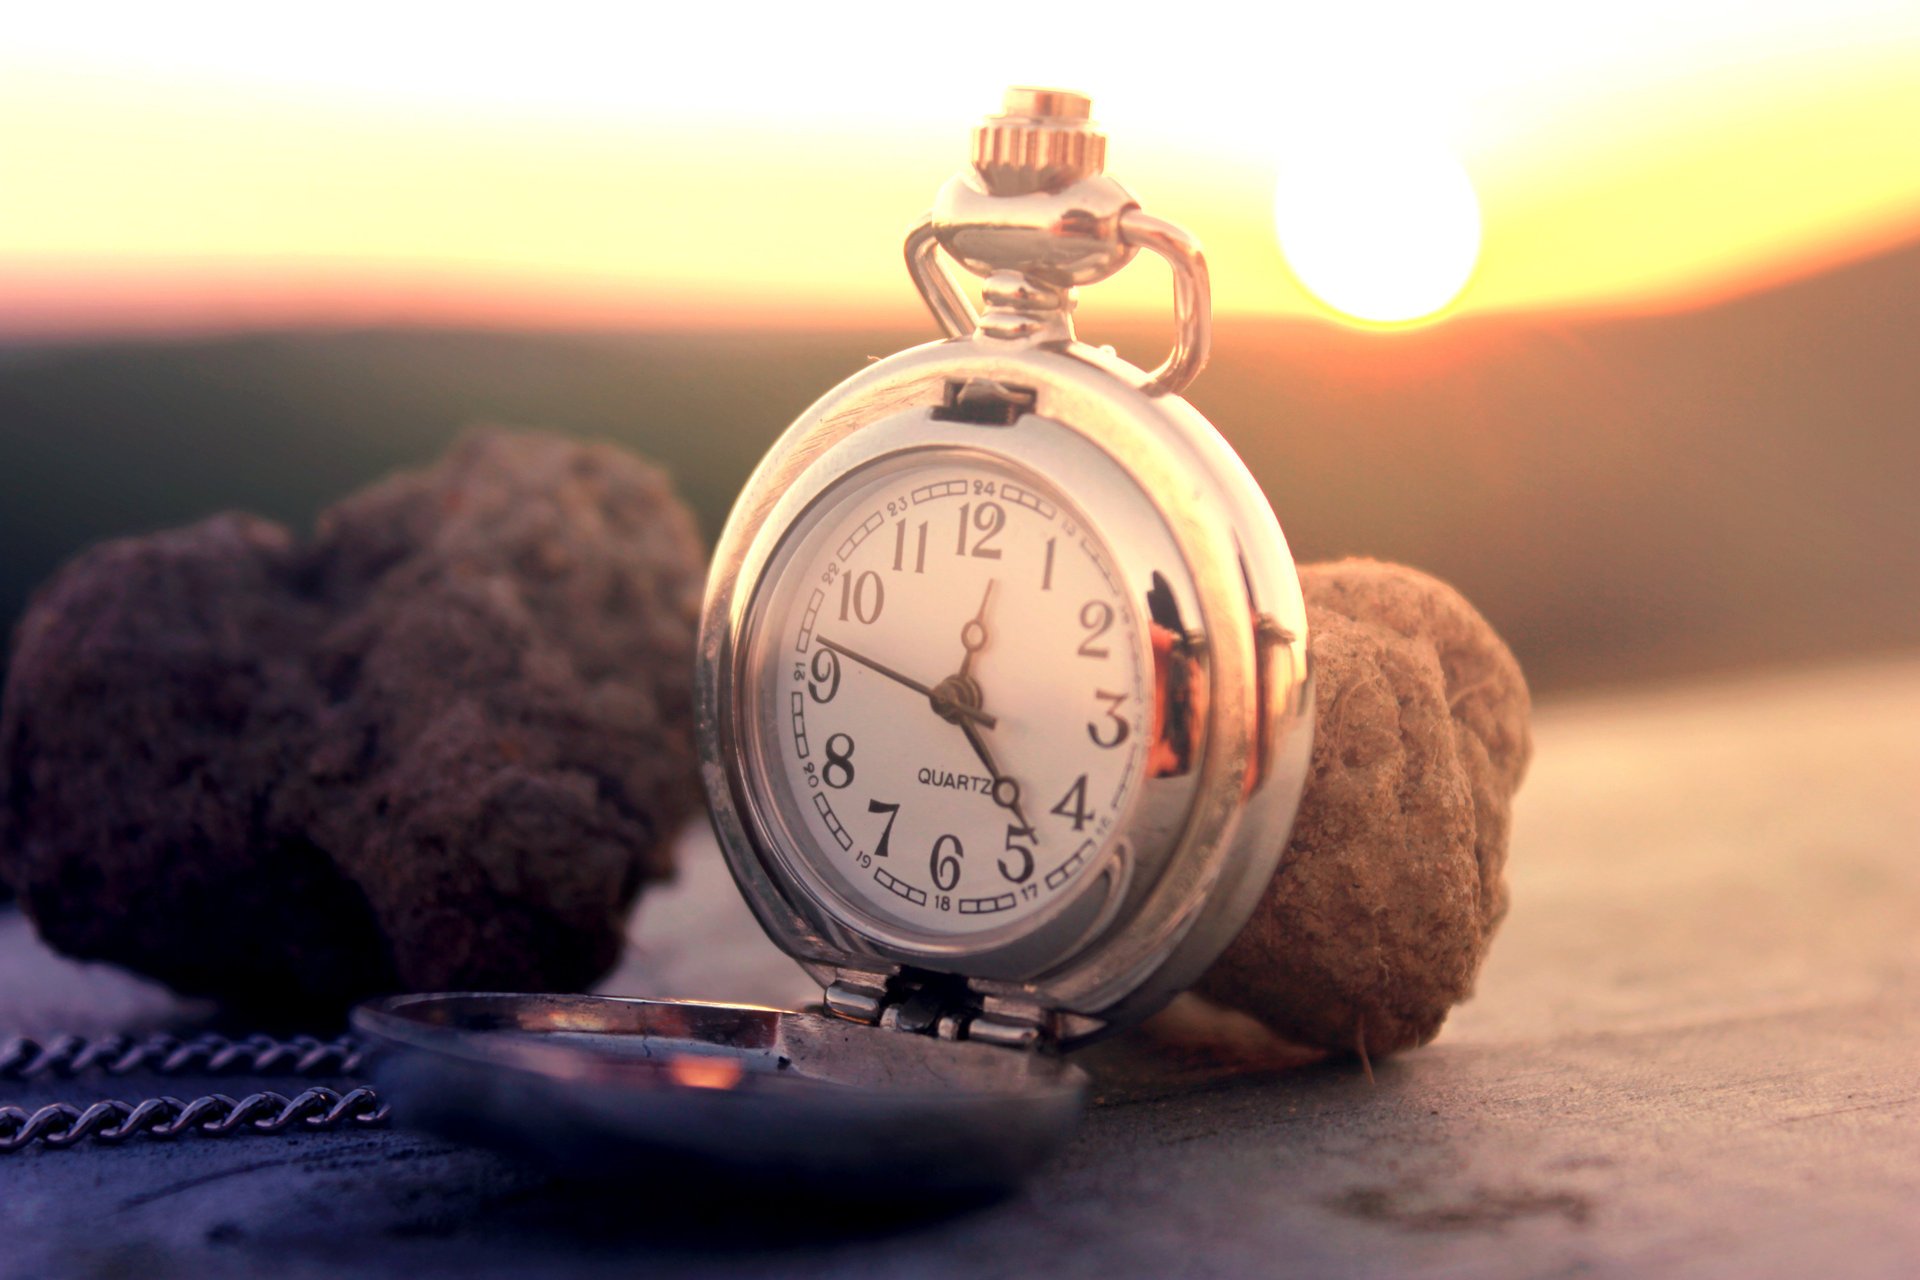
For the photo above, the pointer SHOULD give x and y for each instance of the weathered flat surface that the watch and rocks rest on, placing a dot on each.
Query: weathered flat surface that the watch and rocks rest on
(1696, 1051)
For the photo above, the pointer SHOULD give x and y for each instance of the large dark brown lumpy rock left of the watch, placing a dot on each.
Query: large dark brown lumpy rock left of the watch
(439, 747)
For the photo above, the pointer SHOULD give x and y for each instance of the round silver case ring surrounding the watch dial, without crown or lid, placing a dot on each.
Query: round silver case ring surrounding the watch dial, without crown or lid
(1199, 845)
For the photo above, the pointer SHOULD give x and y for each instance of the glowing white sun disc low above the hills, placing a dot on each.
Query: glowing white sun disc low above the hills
(1381, 229)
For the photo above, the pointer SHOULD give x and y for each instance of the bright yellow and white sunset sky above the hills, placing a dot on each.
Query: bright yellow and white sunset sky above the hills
(231, 166)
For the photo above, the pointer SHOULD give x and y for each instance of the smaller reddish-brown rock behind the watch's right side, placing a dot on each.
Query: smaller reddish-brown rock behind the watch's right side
(1393, 880)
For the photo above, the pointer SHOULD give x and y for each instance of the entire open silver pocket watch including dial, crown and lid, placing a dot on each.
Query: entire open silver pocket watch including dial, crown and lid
(1005, 713)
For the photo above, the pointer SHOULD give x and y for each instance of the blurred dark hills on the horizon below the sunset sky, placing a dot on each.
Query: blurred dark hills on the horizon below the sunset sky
(1627, 498)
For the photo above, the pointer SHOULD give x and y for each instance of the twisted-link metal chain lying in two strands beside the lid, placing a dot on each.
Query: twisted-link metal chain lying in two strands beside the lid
(62, 1126)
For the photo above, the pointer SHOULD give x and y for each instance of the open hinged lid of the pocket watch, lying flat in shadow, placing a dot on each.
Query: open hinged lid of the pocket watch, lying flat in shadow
(660, 1089)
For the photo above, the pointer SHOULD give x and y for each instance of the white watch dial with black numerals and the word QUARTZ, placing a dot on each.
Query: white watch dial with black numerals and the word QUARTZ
(949, 696)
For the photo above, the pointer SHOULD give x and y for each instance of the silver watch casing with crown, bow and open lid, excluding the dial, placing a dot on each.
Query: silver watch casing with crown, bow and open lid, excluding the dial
(629, 1089)
